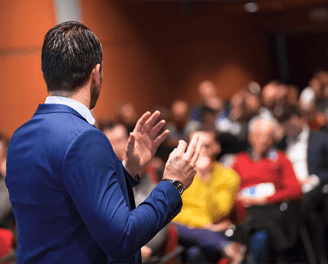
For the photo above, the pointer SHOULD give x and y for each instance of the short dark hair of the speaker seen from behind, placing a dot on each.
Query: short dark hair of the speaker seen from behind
(70, 51)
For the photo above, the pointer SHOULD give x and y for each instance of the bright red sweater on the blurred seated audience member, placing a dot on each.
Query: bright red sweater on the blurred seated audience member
(277, 170)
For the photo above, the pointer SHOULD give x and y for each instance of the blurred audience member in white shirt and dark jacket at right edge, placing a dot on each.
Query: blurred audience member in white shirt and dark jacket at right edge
(308, 151)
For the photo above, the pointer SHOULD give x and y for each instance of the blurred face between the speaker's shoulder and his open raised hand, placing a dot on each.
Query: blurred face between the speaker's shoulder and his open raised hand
(119, 139)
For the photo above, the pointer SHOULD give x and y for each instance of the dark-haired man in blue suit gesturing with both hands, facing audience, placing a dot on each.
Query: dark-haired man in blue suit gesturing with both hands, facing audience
(72, 197)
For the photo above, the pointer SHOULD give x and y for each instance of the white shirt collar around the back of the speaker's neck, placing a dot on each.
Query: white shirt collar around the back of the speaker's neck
(77, 106)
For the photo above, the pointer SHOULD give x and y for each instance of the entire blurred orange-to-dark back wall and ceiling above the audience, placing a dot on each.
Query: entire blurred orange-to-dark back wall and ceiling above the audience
(158, 51)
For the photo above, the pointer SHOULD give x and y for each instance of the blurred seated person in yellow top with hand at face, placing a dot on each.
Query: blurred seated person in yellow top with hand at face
(208, 200)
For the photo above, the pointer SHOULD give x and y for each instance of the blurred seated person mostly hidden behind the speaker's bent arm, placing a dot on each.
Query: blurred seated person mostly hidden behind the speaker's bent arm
(117, 134)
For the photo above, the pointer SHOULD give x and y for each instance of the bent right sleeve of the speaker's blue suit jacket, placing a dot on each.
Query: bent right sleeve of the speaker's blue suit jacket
(91, 171)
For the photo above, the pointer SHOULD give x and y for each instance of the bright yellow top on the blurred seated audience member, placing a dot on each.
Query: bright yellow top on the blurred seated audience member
(207, 201)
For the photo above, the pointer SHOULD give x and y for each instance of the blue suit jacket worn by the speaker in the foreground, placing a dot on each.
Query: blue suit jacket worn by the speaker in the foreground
(72, 197)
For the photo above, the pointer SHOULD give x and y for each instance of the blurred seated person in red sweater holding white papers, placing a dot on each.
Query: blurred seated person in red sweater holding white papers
(267, 179)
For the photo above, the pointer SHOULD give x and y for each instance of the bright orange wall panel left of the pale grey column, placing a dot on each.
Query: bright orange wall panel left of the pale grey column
(23, 25)
